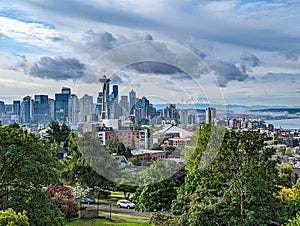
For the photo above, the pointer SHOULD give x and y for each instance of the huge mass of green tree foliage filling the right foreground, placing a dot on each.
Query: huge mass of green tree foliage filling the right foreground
(233, 185)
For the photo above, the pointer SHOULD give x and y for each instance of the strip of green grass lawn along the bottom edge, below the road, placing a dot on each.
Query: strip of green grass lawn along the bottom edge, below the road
(104, 221)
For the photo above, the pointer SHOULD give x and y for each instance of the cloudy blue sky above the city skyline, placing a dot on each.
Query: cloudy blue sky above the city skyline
(244, 52)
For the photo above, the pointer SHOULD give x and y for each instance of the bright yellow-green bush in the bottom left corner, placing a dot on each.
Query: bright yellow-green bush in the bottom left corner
(10, 218)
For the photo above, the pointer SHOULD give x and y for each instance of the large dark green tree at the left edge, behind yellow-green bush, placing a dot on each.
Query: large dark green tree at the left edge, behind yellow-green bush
(27, 164)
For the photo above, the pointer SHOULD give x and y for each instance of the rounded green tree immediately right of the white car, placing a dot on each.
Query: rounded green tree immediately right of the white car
(158, 189)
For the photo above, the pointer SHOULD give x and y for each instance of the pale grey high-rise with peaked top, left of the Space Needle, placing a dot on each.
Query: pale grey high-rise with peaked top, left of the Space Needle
(86, 108)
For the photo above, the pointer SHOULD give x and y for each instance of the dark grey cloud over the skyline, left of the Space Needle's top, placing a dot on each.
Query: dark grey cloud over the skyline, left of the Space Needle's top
(58, 68)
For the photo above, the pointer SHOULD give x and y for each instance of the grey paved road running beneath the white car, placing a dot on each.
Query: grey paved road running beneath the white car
(114, 209)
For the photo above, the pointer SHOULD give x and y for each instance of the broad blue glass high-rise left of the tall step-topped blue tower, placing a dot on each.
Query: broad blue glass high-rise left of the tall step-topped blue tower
(41, 109)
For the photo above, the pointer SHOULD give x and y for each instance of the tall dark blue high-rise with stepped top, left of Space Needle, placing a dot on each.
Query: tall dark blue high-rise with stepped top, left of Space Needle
(61, 104)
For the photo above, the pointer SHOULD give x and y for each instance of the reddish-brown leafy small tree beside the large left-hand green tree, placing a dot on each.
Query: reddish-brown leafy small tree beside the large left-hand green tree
(62, 196)
